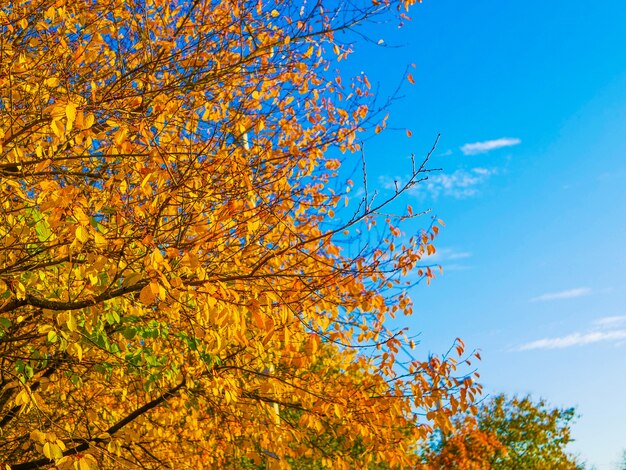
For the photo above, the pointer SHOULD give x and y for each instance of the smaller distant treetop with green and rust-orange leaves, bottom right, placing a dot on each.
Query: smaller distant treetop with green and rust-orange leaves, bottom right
(508, 434)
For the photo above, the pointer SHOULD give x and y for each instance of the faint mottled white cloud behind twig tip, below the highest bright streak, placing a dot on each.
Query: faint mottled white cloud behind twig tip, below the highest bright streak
(459, 184)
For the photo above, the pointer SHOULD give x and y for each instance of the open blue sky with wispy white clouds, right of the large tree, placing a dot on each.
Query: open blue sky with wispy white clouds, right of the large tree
(530, 100)
